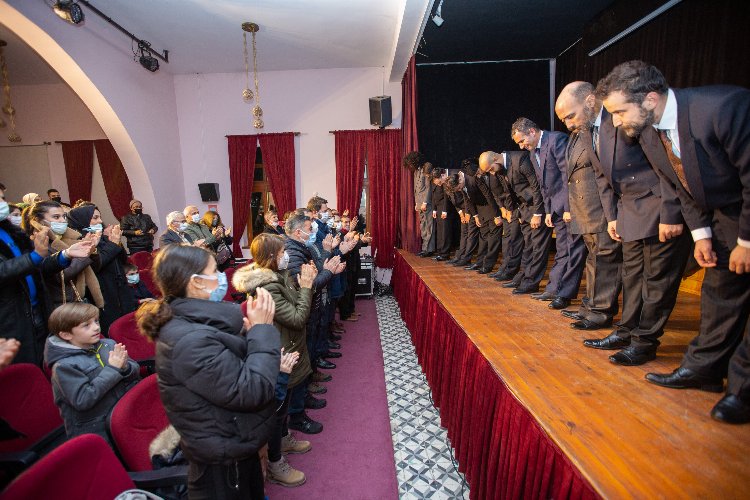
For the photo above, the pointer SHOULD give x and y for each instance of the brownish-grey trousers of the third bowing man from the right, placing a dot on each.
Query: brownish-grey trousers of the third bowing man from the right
(603, 277)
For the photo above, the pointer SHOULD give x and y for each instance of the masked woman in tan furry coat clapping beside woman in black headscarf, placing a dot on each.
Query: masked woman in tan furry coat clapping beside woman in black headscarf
(78, 278)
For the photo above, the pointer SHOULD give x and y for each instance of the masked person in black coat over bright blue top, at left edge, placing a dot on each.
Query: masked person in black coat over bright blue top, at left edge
(24, 304)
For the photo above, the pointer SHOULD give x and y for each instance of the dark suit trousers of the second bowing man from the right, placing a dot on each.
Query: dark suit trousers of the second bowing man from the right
(651, 275)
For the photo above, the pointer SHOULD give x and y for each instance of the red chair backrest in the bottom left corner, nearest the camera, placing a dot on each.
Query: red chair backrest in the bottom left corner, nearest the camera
(84, 468)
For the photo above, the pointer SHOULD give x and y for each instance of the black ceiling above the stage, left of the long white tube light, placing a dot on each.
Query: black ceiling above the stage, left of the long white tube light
(495, 30)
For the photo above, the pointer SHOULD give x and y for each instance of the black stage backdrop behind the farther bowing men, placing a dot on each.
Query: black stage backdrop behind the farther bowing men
(465, 109)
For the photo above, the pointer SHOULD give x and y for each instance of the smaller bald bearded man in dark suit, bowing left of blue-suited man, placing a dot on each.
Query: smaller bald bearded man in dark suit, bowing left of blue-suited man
(522, 197)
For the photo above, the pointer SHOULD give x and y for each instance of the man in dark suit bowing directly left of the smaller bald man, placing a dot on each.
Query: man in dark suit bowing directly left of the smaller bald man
(483, 210)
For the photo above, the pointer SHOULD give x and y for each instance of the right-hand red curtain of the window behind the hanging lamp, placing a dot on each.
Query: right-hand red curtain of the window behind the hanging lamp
(278, 160)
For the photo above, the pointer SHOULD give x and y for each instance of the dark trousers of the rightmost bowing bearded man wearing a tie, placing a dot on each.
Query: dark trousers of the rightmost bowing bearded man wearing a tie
(721, 345)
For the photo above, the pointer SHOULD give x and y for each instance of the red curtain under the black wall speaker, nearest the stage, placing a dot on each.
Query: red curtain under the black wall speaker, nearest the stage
(384, 170)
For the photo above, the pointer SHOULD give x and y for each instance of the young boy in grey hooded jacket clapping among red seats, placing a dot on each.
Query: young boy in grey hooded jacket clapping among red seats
(89, 374)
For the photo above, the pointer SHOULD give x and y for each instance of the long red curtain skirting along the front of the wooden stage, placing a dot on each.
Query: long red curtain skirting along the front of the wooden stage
(499, 445)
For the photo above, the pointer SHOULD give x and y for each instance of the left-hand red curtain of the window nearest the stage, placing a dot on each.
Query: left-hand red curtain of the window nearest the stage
(350, 169)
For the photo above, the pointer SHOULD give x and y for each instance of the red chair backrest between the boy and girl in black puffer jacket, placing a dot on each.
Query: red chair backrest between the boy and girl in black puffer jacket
(135, 421)
